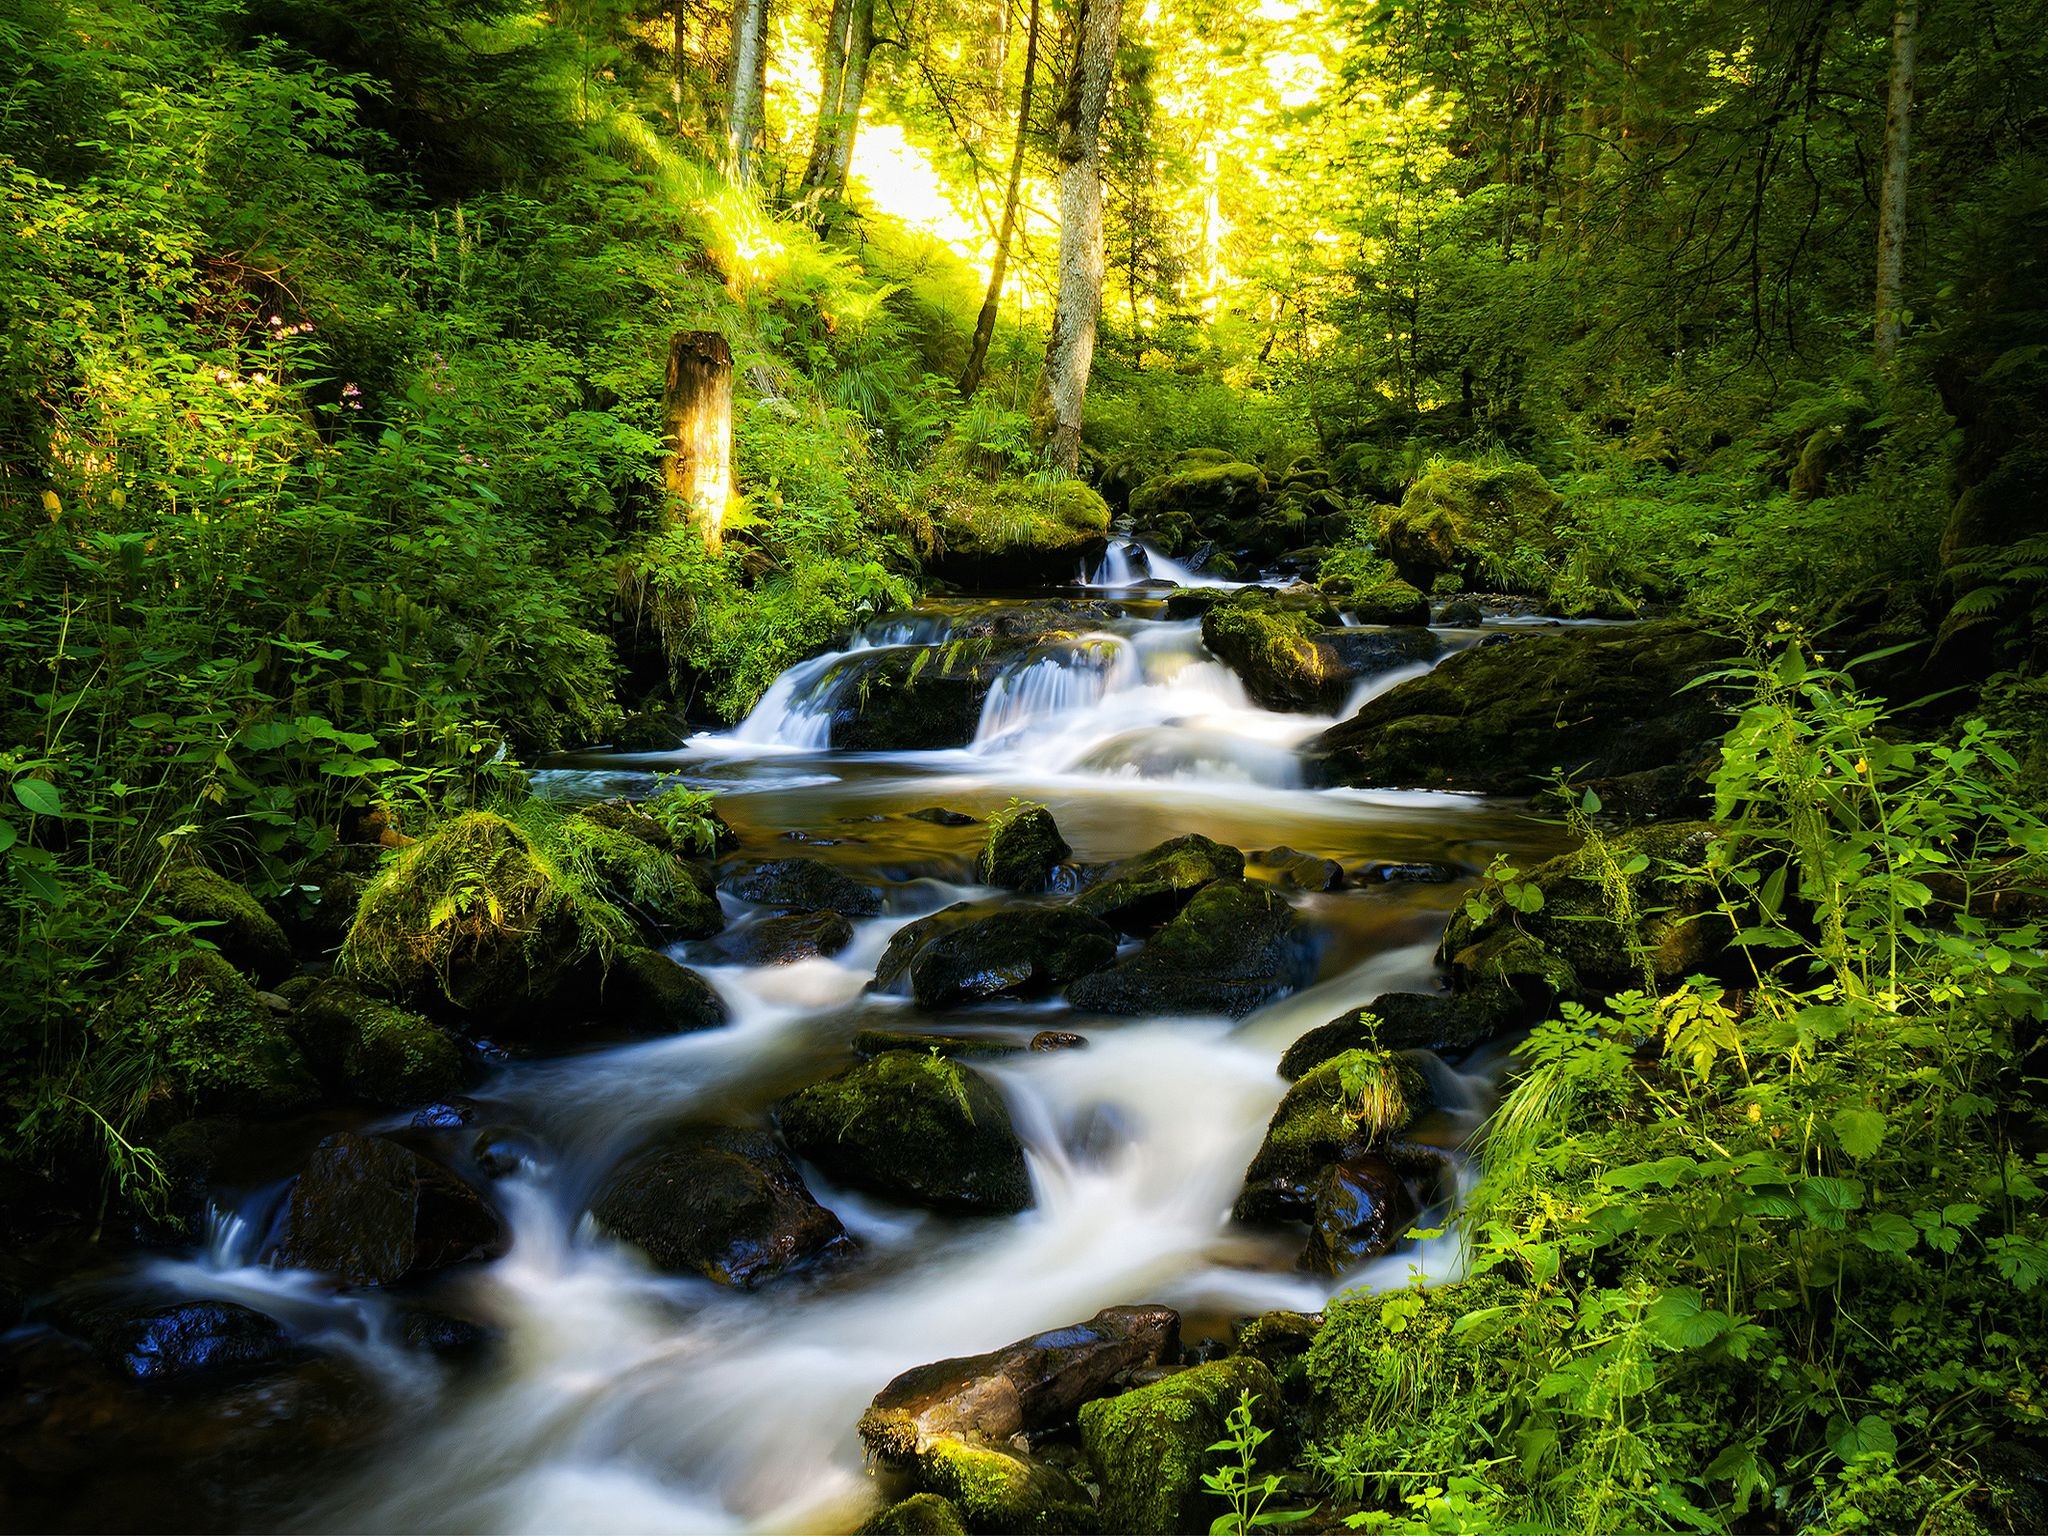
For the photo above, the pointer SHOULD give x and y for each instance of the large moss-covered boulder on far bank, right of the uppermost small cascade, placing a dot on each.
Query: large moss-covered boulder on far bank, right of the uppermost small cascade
(1494, 527)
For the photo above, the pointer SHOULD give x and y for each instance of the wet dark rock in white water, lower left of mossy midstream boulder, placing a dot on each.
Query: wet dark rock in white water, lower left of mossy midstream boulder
(722, 1203)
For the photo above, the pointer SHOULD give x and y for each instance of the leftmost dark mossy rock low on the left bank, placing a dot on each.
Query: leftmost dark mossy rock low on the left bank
(212, 1043)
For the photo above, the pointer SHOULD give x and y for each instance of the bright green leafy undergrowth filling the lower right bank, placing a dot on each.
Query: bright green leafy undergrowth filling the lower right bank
(1781, 1238)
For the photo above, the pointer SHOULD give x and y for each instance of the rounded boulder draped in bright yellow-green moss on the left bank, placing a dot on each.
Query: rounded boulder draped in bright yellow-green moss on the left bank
(476, 919)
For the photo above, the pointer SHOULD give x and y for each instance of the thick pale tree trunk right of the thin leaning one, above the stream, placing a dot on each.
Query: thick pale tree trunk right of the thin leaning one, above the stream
(1072, 347)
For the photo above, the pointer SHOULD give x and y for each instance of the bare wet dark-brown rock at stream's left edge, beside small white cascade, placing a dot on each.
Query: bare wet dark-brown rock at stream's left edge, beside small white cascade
(372, 1211)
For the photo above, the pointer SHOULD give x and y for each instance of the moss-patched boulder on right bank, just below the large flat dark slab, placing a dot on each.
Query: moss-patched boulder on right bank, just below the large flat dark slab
(1670, 925)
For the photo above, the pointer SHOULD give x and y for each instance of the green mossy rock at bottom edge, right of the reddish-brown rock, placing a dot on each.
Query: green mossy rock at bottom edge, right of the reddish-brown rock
(1152, 1447)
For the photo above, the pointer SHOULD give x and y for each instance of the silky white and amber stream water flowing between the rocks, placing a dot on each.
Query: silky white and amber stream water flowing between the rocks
(626, 1400)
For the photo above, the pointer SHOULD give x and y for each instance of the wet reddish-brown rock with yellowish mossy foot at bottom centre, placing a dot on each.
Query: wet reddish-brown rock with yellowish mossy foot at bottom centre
(955, 1426)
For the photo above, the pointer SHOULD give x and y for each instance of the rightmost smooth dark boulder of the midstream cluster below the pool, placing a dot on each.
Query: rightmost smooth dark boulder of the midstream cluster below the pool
(1232, 949)
